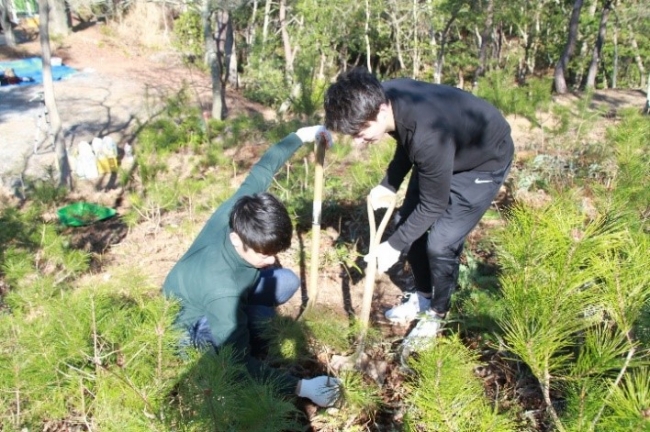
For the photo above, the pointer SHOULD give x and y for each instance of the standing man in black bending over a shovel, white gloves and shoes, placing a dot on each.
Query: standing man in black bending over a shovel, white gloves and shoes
(458, 149)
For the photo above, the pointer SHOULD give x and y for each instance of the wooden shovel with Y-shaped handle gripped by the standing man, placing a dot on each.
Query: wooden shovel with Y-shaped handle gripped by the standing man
(371, 270)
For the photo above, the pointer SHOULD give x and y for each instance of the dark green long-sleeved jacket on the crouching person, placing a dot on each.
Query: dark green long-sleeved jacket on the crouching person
(212, 280)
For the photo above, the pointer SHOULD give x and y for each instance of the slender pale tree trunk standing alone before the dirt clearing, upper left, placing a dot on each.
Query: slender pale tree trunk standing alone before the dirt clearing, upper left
(48, 93)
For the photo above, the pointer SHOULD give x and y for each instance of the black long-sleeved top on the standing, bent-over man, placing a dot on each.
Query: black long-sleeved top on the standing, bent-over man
(441, 130)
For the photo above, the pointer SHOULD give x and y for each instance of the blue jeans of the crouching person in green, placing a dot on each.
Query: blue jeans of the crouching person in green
(275, 287)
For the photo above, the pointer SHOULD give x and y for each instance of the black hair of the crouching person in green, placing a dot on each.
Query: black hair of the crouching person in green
(262, 222)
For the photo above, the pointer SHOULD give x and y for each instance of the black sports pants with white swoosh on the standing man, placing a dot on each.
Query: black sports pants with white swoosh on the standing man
(434, 257)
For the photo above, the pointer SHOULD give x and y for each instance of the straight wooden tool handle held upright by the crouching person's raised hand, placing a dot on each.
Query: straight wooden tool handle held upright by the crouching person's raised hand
(312, 287)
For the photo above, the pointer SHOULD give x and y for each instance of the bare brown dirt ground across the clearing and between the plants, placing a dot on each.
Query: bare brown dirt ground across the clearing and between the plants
(118, 86)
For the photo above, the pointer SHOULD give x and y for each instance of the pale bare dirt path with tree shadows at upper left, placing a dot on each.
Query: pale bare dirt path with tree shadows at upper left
(114, 88)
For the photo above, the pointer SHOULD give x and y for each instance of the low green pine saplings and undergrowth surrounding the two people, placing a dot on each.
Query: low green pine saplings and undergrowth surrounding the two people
(559, 290)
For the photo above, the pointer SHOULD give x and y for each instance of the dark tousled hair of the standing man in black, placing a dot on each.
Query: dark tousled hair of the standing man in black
(352, 101)
